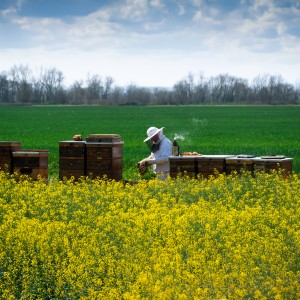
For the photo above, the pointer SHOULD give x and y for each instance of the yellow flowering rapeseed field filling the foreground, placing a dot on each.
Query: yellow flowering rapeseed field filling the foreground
(230, 237)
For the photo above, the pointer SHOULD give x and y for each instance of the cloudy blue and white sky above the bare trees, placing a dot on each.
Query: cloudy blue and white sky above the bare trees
(152, 42)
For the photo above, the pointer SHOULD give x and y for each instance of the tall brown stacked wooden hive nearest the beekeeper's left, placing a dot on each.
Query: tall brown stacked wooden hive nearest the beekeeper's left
(104, 156)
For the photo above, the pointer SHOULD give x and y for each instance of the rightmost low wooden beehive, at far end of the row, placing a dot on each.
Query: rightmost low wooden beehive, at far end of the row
(270, 163)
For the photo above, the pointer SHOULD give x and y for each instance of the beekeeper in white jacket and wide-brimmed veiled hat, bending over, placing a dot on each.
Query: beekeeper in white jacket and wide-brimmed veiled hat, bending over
(161, 149)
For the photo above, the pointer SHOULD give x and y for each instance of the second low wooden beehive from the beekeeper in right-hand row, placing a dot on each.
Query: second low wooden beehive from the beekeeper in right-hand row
(211, 164)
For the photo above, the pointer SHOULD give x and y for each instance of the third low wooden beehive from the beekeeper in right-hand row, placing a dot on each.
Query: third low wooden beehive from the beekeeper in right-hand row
(239, 164)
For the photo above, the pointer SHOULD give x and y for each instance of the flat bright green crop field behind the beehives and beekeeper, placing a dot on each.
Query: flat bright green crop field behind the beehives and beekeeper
(257, 130)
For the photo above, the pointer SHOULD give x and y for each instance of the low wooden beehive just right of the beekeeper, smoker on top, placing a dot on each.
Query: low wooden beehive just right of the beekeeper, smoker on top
(183, 165)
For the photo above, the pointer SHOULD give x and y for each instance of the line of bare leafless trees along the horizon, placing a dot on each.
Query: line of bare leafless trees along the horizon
(19, 86)
